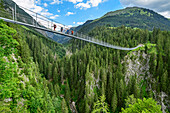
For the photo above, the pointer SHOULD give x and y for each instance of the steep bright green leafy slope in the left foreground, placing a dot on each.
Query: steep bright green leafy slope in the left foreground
(22, 88)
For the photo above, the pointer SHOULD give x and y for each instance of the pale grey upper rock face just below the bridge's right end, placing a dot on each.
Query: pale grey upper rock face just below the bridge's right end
(137, 63)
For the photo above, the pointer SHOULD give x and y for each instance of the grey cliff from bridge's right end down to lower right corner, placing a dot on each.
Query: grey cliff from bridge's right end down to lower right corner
(137, 63)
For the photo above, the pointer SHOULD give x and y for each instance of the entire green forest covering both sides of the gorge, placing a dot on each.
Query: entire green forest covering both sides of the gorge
(38, 76)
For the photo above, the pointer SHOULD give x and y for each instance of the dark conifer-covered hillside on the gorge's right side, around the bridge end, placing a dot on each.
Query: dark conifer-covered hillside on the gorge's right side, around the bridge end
(103, 71)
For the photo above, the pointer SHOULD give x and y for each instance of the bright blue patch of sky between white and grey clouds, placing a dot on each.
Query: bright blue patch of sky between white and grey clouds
(69, 14)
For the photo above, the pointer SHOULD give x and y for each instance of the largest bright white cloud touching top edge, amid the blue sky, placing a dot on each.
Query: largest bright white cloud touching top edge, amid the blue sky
(89, 4)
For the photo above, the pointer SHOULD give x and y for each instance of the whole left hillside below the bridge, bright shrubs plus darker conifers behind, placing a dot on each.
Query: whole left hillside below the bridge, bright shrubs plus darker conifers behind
(23, 87)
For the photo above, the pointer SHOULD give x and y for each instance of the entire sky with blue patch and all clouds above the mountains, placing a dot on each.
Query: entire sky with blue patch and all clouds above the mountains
(76, 12)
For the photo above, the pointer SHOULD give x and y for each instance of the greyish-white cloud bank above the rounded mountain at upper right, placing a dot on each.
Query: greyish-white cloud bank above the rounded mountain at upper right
(160, 6)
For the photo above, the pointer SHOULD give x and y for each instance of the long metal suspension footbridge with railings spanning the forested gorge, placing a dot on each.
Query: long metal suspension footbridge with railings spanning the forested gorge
(41, 22)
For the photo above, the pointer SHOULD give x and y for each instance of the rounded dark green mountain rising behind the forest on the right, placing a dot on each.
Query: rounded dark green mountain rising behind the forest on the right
(130, 17)
